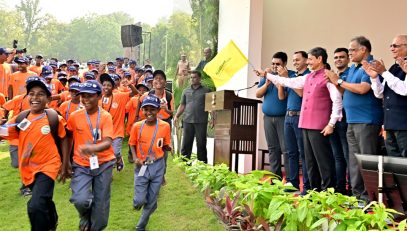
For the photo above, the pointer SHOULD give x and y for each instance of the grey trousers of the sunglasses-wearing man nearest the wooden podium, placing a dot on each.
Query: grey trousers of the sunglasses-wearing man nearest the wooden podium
(274, 131)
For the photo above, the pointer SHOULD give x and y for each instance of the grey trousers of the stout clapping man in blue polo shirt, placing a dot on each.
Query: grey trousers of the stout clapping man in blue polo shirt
(362, 139)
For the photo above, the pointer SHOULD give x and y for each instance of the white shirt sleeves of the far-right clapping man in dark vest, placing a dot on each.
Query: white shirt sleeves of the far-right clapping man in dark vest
(394, 83)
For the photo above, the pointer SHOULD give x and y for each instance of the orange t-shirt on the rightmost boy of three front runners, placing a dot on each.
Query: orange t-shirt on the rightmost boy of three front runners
(163, 137)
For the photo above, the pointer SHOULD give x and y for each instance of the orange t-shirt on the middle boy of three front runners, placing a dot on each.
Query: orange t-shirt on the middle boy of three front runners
(78, 125)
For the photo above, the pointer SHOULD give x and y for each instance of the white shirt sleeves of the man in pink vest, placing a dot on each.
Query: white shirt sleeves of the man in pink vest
(298, 83)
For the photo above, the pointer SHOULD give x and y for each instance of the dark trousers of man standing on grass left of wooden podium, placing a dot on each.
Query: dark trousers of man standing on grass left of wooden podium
(191, 131)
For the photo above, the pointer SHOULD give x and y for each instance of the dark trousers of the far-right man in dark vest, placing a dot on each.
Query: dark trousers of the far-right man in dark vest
(396, 143)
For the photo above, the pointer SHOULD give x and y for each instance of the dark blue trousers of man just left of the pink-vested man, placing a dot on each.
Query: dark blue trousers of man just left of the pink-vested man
(295, 149)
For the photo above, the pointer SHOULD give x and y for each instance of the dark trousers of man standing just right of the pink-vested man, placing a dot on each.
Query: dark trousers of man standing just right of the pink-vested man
(340, 151)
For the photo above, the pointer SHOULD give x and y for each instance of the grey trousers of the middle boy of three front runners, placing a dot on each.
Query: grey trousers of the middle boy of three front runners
(91, 194)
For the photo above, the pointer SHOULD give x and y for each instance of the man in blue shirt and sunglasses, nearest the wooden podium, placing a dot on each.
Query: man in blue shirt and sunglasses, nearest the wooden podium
(274, 109)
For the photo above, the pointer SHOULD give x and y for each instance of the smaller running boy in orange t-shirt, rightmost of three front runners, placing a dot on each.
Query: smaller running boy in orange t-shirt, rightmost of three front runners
(148, 141)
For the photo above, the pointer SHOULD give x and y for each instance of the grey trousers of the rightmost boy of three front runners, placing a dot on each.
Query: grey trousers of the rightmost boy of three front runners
(146, 189)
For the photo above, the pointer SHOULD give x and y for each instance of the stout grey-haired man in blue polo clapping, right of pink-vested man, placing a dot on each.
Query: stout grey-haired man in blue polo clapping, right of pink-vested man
(364, 112)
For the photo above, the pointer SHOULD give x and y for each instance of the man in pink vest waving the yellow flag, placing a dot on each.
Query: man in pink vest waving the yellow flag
(321, 109)
